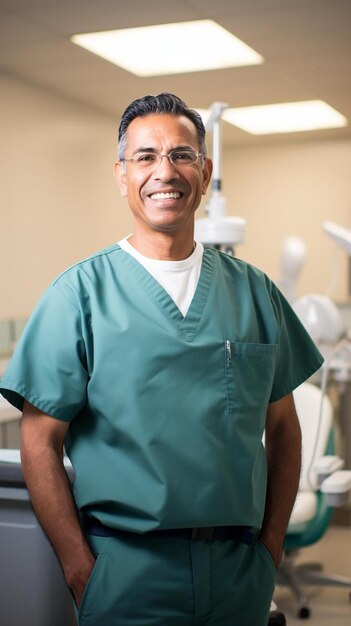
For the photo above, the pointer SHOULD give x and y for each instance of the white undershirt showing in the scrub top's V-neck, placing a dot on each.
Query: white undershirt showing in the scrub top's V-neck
(178, 278)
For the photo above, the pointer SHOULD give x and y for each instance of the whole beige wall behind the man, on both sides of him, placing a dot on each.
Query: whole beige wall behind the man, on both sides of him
(59, 200)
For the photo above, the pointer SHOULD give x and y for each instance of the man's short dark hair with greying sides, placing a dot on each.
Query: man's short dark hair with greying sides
(163, 103)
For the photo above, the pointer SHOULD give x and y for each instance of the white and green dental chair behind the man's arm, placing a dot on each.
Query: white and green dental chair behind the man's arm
(323, 485)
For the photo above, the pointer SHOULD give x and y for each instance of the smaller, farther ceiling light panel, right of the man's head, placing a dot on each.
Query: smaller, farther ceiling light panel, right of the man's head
(289, 117)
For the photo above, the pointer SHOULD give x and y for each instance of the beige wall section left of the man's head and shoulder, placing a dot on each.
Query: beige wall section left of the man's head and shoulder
(59, 199)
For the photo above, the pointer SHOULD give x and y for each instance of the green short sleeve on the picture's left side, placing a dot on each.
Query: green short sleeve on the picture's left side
(48, 367)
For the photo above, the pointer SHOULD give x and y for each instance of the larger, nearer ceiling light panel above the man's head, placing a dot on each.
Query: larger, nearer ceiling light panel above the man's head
(170, 48)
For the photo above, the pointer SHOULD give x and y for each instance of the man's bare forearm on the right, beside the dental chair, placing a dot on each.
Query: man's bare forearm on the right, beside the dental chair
(283, 452)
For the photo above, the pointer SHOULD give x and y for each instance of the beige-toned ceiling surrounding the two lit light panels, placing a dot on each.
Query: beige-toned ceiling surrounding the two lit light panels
(306, 45)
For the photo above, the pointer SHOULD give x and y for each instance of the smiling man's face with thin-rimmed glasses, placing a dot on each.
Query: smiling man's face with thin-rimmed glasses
(163, 197)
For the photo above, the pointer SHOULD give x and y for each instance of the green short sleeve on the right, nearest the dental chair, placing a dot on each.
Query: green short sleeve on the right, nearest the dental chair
(297, 356)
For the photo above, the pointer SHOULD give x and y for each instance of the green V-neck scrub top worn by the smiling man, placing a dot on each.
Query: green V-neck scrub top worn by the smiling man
(166, 412)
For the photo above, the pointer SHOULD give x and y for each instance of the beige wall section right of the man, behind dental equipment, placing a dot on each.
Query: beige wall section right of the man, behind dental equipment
(287, 190)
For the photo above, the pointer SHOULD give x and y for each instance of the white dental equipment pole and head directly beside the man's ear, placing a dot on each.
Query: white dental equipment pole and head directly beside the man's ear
(218, 230)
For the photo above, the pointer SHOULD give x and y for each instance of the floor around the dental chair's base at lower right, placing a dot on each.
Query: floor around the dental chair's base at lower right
(330, 606)
